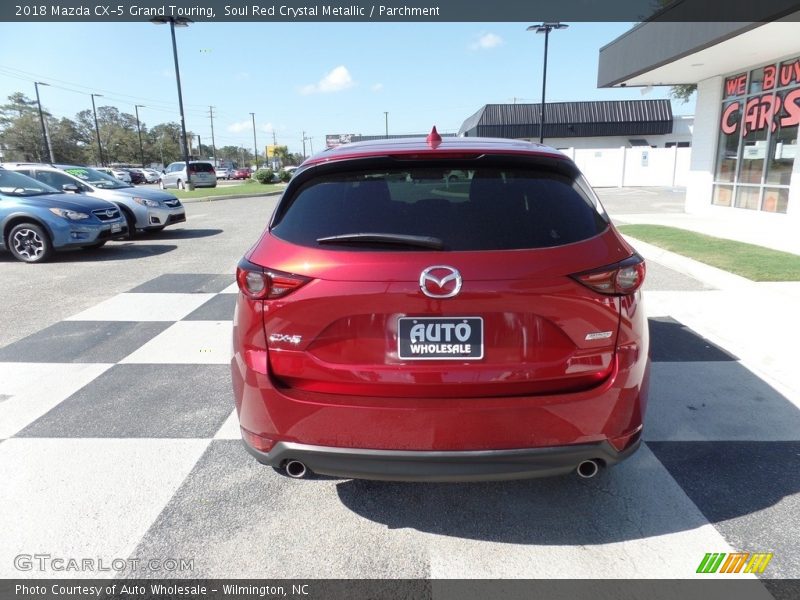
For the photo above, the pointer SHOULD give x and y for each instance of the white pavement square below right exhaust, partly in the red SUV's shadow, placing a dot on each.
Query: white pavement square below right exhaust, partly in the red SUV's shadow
(662, 535)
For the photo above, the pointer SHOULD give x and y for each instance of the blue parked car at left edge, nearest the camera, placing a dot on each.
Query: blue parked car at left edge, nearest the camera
(36, 219)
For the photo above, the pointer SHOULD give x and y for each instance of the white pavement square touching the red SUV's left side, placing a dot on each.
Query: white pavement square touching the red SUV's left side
(188, 342)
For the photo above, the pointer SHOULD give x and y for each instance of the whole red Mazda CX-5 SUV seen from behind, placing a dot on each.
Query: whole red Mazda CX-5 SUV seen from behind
(443, 310)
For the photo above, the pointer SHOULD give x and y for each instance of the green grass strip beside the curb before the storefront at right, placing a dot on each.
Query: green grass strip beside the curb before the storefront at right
(748, 260)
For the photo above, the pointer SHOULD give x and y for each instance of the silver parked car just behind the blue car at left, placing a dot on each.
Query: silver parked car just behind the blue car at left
(144, 209)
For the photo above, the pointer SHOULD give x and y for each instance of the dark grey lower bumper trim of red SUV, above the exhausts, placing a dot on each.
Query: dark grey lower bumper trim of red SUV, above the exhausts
(485, 465)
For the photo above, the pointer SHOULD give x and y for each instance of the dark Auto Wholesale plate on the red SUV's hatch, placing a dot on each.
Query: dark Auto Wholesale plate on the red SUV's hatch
(440, 338)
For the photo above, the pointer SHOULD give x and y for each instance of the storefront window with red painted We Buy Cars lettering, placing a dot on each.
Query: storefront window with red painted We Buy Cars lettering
(758, 138)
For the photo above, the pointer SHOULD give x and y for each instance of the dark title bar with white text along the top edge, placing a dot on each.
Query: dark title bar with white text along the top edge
(402, 11)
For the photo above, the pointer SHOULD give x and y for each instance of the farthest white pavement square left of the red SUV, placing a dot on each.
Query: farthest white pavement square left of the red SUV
(143, 307)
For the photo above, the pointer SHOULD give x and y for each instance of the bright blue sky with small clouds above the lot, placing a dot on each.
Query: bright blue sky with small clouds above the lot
(319, 78)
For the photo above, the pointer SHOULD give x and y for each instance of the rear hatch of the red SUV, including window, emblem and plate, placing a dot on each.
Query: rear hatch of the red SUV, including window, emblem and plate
(445, 279)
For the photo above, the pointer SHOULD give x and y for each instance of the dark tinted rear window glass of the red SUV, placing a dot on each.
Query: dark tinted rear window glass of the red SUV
(484, 209)
